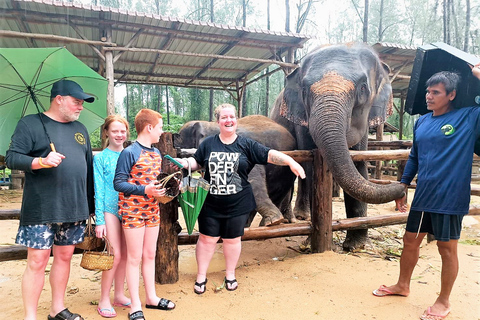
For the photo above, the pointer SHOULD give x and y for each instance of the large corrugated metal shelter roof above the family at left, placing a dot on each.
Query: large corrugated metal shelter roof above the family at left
(173, 36)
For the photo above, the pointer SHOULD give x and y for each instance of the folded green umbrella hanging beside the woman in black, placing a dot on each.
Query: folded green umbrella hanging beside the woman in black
(192, 196)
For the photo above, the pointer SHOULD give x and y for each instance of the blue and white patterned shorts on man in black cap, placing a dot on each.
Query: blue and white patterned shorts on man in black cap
(44, 236)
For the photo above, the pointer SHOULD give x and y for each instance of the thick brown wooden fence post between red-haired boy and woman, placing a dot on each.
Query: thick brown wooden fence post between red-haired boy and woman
(166, 259)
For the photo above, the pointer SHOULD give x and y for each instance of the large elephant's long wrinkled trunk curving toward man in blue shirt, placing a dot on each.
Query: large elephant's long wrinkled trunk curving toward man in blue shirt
(328, 123)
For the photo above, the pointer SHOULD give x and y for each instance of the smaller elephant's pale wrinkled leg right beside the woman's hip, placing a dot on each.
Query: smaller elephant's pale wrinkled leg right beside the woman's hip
(271, 215)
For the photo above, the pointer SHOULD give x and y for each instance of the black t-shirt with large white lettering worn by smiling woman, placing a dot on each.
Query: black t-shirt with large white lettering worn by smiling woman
(226, 169)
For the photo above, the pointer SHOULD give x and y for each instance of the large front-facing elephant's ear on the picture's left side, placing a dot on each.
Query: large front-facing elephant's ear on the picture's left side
(292, 107)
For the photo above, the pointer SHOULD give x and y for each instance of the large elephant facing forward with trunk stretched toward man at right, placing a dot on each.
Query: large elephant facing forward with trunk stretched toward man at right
(328, 103)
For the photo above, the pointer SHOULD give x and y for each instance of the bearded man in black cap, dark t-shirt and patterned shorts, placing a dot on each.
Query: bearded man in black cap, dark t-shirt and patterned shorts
(58, 193)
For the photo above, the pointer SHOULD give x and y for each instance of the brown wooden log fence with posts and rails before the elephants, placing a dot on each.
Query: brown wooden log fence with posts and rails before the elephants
(320, 228)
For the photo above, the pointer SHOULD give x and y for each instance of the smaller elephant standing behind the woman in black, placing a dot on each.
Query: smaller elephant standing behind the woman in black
(272, 185)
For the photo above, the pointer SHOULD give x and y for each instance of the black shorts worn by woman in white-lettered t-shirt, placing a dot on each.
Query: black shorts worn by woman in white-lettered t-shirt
(226, 228)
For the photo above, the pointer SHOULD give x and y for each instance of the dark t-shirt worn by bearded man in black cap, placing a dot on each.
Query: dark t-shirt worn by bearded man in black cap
(53, 195)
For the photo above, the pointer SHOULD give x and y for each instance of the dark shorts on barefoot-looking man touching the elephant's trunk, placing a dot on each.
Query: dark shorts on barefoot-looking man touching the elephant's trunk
(443, 226)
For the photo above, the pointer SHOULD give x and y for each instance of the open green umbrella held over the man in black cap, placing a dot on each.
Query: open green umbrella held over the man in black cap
(27, 75)
